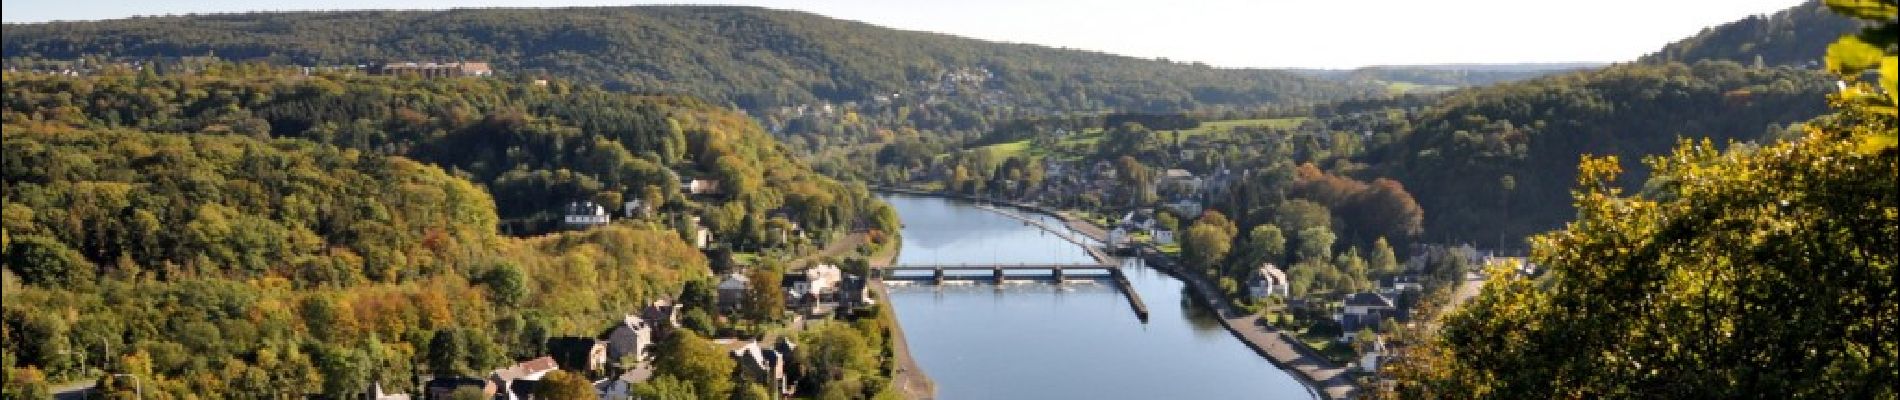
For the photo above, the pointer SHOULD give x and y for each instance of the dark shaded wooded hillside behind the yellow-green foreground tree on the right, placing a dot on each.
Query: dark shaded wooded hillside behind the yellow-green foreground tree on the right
(1498, 162)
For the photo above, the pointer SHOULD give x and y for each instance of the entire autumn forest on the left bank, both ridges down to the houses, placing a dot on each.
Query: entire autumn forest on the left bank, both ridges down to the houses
(250, 228)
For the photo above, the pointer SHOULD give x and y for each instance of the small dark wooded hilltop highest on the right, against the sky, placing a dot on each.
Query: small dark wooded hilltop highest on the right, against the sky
(1793, 37)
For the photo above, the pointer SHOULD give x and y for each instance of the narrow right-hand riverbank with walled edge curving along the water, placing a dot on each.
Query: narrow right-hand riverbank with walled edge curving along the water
(1320, 374)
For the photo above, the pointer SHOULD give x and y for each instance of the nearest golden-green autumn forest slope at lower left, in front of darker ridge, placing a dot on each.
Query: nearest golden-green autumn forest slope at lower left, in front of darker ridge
(218, 264)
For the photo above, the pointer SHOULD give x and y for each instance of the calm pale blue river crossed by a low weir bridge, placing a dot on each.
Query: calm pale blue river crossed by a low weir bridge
(1036, 340)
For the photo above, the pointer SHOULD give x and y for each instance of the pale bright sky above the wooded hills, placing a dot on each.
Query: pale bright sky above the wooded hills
(1223, 33)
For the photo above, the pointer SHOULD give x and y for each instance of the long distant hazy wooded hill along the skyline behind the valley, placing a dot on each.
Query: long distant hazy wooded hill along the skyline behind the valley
(750, 56)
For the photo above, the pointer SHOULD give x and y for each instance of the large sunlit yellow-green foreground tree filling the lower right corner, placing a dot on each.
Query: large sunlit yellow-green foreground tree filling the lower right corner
(1747, 274)
